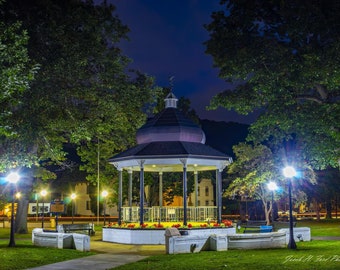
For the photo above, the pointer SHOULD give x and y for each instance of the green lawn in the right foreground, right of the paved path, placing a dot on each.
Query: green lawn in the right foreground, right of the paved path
(309, 255)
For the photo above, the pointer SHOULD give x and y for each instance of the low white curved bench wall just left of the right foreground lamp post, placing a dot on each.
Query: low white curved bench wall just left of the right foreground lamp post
(257, 240)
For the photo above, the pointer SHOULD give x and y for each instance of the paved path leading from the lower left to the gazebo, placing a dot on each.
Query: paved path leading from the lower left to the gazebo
(112, 255)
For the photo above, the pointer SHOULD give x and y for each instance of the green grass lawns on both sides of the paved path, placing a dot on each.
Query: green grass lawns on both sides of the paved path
(309, 255)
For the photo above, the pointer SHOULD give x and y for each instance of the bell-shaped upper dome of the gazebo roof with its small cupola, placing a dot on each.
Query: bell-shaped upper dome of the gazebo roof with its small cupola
(170, 125)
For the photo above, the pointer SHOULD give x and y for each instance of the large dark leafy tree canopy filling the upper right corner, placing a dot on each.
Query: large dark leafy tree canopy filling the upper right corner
(284, 57)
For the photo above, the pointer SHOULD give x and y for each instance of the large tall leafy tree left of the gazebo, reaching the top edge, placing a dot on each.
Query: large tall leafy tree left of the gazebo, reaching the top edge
(83, 93)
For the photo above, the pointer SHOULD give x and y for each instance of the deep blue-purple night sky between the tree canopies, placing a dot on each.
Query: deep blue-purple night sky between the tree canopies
(166, 39)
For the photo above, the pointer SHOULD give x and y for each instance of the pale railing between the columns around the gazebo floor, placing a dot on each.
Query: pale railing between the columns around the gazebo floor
(170, 213)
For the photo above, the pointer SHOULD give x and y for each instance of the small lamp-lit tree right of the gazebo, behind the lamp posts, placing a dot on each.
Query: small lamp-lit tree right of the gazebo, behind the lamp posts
(254, 167)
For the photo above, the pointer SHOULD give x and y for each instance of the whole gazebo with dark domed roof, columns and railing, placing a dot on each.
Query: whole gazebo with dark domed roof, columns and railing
(169, 142)
